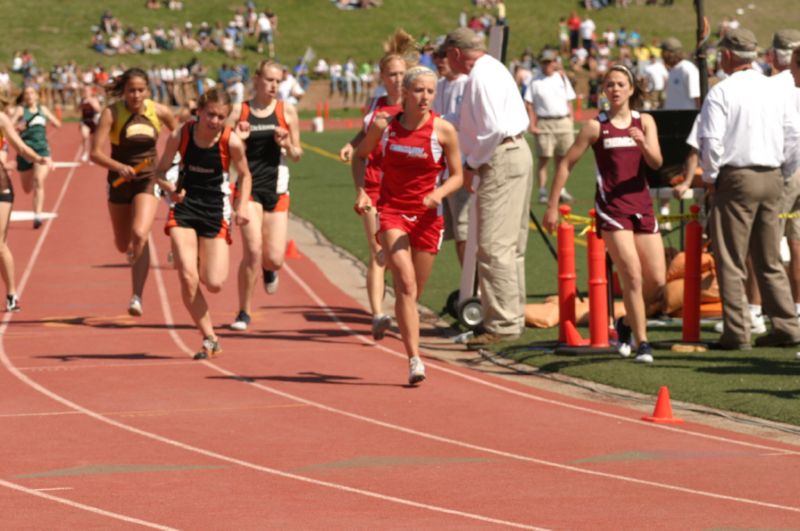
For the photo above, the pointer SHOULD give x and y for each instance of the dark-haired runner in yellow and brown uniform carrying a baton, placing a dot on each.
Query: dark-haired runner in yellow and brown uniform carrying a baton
(132, 124)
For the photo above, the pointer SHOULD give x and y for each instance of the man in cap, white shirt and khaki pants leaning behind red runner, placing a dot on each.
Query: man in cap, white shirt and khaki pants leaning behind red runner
(493, 120)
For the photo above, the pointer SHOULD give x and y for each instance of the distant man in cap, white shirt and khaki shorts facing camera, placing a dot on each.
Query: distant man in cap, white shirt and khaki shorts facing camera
(548, 102)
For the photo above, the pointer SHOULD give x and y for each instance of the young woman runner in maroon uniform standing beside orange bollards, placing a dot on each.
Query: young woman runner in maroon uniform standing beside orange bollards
(623, 142)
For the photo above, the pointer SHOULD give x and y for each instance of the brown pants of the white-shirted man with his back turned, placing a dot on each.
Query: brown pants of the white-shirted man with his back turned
(744, 217)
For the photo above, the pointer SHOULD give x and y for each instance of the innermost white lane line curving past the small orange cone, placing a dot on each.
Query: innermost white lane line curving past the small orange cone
(369, 341)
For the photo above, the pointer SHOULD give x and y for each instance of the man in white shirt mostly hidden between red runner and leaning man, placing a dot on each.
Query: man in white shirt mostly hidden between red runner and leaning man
(447, 103)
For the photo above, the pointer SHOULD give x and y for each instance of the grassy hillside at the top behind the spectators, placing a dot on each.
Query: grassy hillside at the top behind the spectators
(59, 31)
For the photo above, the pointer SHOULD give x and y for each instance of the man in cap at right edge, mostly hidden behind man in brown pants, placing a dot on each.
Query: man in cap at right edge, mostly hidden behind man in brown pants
(784, 42)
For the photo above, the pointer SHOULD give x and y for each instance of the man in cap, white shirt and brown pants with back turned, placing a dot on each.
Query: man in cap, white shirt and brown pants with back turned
(749, 137)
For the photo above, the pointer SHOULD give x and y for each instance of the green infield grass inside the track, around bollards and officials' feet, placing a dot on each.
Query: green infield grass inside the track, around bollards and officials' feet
(763, 382)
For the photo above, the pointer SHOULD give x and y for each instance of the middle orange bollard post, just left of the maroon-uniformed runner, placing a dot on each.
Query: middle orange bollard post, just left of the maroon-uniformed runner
(598, 287)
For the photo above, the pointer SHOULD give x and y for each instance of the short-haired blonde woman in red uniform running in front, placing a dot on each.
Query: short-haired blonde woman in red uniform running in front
(415, 146)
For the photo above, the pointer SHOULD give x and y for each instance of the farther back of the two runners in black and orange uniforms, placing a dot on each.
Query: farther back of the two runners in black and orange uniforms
(270, 128)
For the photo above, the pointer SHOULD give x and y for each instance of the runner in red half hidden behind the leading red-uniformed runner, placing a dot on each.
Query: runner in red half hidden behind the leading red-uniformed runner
(393, 66)
